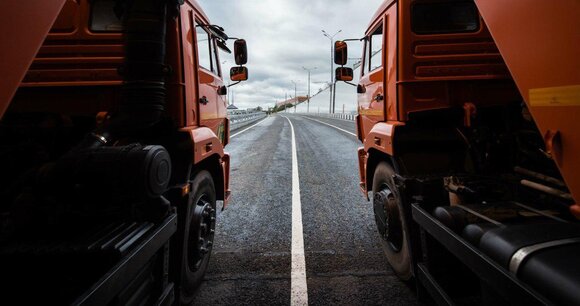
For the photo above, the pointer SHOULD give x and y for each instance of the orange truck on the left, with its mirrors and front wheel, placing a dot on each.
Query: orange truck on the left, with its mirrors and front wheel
(113, 128)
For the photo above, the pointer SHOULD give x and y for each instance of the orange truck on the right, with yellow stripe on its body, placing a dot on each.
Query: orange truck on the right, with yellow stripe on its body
(467, 111)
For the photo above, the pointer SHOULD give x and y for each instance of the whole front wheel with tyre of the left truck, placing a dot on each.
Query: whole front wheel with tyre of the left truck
(198, 234)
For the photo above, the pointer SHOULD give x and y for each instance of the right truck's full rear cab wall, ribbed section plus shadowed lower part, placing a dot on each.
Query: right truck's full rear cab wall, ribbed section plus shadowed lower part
(446, 70)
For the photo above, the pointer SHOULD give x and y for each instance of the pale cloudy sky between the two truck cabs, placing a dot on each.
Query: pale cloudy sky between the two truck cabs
(283, 36)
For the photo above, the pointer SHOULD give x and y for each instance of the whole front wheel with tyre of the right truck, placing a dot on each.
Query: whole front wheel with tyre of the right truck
(390, 220)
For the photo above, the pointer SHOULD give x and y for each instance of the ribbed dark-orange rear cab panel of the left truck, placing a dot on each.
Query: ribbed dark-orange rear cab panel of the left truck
(74, 55)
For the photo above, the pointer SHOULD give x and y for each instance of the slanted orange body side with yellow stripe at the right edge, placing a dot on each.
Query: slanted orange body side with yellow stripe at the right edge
(540, 43)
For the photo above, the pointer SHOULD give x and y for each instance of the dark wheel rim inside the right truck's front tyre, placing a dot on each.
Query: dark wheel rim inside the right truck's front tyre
(388, 219)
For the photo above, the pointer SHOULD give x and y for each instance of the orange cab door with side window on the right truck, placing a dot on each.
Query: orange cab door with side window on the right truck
(371, 88)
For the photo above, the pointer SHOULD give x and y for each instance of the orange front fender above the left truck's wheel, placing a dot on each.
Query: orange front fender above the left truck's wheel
(209, 154)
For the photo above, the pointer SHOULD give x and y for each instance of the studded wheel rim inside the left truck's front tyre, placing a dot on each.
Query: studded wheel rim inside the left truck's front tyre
(201, 233)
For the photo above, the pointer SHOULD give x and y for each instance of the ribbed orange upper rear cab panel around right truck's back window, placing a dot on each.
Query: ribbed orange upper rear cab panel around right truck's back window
(446, 56)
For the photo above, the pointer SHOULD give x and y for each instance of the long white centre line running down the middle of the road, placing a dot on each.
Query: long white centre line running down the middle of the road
(298, 285)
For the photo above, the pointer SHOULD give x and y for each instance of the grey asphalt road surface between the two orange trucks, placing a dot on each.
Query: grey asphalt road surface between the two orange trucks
(252, 258)
